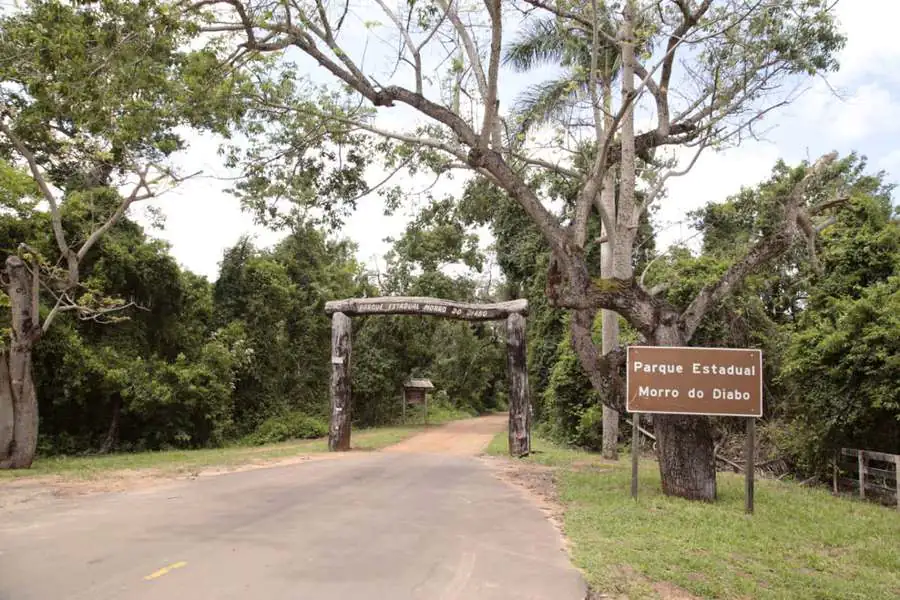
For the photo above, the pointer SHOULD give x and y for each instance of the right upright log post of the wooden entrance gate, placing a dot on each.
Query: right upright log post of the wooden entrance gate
(519, 405)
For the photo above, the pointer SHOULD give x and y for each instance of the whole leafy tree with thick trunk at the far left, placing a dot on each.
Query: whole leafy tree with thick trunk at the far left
(92, 95)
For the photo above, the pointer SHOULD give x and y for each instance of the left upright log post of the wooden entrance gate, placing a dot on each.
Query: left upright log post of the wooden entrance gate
(341, 404)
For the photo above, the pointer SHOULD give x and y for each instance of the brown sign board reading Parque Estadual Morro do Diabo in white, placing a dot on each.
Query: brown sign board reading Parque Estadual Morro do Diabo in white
(694, 381)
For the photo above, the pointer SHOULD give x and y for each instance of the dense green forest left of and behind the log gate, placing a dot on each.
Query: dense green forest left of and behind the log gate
(193, 363)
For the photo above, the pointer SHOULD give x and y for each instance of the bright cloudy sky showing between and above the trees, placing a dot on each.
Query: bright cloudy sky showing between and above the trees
(856, 109)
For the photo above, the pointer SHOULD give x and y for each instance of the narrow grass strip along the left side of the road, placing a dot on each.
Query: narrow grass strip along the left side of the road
(178, 461)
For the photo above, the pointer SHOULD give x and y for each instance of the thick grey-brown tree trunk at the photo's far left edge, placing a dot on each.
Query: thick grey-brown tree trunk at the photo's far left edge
(18, 400)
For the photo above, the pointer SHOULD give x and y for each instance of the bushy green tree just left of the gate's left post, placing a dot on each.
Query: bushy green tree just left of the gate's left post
(273, 302)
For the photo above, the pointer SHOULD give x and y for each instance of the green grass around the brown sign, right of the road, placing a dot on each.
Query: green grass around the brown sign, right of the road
(801, 543)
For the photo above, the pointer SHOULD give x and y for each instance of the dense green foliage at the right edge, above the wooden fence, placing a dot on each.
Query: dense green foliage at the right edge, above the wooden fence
(842, 364)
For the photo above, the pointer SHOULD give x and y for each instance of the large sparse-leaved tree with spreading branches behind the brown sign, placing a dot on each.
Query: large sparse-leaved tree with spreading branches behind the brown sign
(727, 61)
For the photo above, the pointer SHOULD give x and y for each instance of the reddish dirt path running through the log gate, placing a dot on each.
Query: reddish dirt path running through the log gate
(468, 437)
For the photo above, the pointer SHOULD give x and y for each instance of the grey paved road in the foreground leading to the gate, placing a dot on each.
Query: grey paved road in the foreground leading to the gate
(392, 525)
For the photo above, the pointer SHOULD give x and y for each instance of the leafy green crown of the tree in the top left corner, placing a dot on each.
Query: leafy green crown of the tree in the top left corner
(95, 87)
